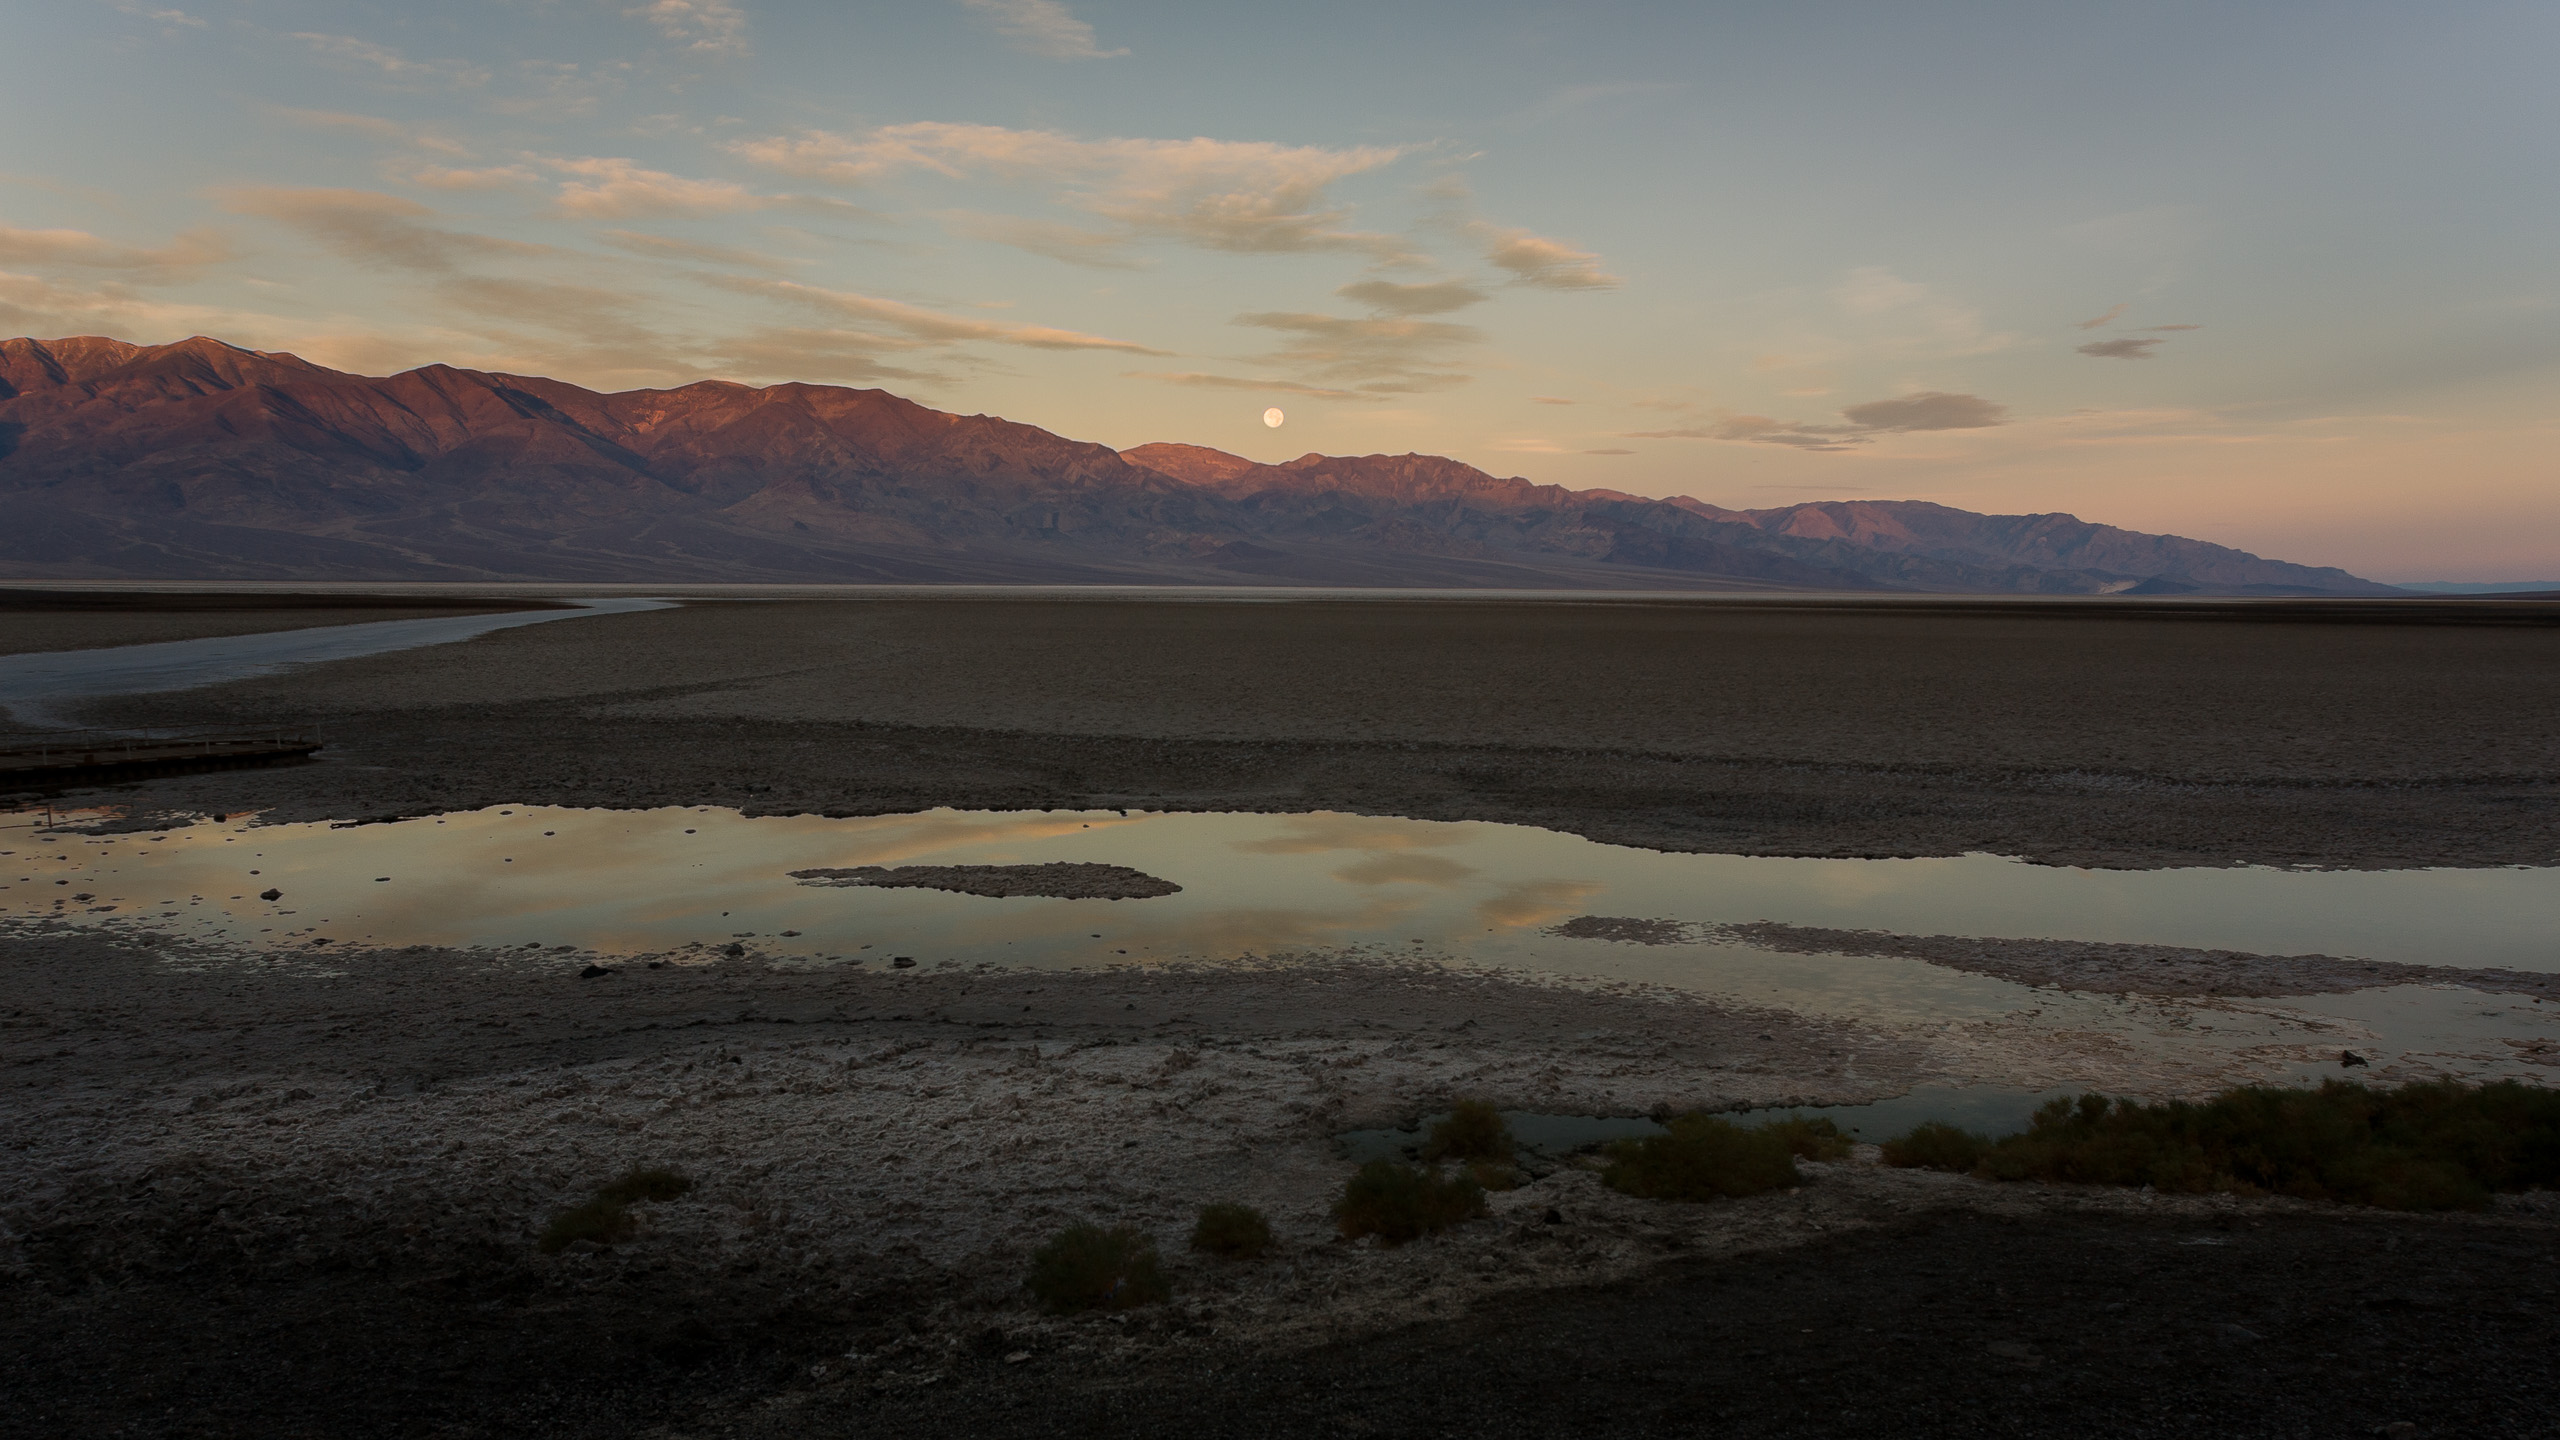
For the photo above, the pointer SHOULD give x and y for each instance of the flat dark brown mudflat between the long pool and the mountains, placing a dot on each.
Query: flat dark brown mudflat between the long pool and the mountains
(2113, 734)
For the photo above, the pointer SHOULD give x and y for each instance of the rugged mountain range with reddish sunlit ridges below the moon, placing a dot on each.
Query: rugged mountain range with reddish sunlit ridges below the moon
(214, 462)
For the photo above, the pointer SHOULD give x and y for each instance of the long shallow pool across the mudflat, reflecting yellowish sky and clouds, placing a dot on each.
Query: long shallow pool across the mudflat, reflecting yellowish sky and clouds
(1253, 885)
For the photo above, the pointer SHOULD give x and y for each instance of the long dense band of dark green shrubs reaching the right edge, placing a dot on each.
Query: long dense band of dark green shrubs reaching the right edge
(2420, 1147)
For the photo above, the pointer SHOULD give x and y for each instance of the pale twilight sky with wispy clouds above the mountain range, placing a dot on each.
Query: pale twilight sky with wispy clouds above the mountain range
(2272, 275)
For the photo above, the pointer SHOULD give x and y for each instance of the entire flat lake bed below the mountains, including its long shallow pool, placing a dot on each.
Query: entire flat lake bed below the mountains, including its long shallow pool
(813, 898)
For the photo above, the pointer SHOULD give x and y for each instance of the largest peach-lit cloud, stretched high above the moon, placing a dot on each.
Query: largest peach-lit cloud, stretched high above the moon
(1222, 196)
